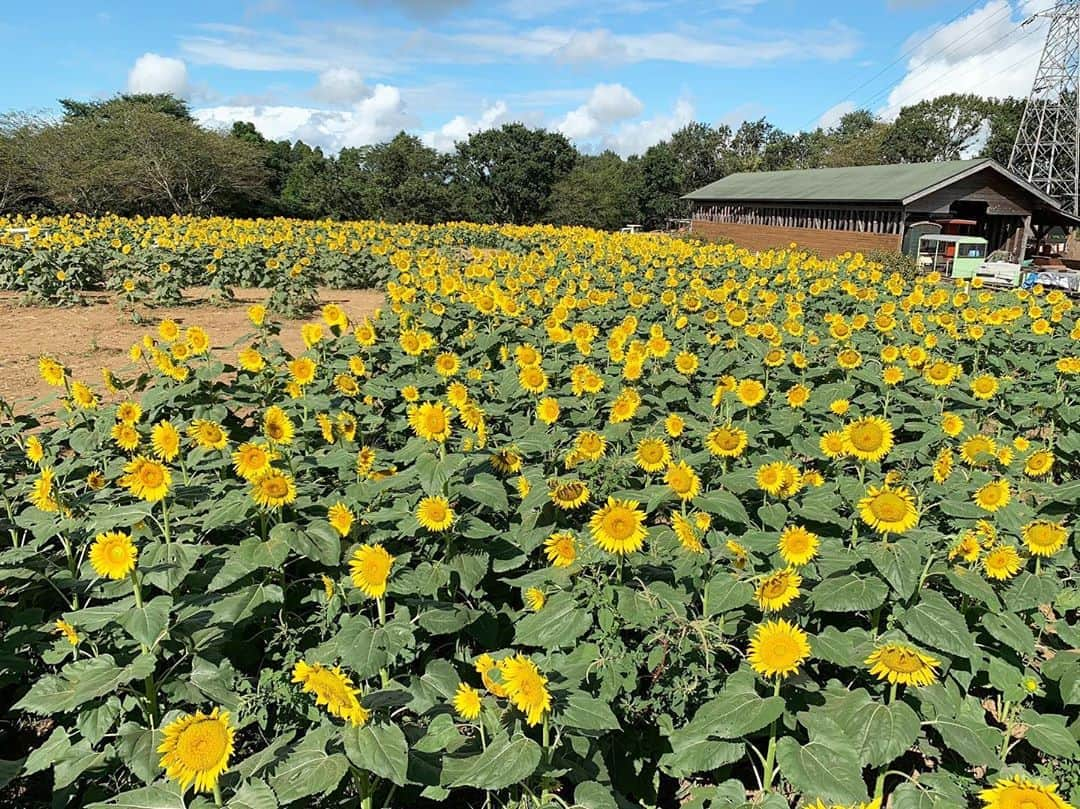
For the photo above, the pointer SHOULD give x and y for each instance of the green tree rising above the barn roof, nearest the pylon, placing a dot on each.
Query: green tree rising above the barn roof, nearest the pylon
(947, 128)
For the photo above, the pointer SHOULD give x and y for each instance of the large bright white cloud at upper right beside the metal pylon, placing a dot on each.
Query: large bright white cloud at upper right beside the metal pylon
(987, 52)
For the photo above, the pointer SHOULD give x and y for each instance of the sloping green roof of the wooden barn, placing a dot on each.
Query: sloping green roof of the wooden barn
(898, 184)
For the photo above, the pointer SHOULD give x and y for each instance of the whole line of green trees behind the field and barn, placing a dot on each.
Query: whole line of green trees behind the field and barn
(147, 155)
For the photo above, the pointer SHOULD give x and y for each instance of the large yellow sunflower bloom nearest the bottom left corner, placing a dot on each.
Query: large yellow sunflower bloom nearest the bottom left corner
(196, 749)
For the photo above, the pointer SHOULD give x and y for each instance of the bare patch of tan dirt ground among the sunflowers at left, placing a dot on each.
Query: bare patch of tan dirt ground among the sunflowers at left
(87, 339)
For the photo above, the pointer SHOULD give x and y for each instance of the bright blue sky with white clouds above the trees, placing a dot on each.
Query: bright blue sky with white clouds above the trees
(610, 74)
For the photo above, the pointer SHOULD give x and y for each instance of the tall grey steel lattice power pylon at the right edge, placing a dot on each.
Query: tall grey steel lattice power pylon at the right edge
(1047, 151)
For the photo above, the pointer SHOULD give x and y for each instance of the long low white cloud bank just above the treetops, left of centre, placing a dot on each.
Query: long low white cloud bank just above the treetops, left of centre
(372, 120)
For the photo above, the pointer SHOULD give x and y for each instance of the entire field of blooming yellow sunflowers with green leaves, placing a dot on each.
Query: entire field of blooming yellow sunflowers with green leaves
(577, 520)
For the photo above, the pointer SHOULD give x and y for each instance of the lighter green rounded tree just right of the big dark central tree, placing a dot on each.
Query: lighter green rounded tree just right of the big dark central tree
(599, 193)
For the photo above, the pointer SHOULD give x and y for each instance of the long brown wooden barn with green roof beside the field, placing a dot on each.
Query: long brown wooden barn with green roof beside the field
(832, 211)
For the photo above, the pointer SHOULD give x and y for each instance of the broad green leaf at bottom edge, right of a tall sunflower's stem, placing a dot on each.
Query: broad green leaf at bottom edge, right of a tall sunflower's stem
(830, 771)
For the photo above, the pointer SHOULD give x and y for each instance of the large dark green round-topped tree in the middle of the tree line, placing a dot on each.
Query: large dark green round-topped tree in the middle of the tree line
(508, 174)
